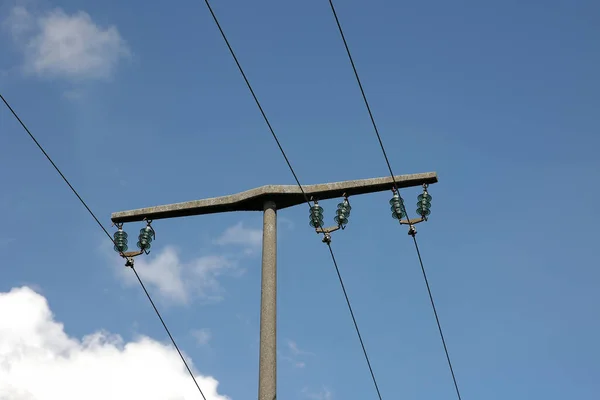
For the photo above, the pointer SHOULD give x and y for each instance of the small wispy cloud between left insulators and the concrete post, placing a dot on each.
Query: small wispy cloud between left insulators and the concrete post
(178, 281)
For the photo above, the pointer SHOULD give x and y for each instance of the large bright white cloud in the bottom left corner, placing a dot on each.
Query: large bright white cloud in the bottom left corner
(39, 361)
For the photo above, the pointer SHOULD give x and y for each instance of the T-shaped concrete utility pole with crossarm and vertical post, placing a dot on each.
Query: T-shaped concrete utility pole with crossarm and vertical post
(267, 199)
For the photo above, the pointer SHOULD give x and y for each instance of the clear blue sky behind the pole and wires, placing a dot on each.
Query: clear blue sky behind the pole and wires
(144, 106)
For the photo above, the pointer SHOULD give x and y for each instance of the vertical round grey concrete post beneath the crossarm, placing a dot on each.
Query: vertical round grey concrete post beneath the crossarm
(267, 367)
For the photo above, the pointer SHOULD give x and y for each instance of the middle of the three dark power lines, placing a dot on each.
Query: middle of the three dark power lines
(264, 115)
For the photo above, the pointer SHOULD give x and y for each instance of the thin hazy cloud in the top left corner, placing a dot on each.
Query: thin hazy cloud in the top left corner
(56, 44)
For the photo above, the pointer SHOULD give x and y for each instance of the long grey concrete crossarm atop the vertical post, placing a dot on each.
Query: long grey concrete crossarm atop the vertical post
(283, 195)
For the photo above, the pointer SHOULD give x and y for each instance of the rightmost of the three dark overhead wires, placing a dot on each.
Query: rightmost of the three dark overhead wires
(362, 91)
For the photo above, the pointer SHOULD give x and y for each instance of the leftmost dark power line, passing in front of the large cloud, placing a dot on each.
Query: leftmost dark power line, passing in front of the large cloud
(107, 234)
